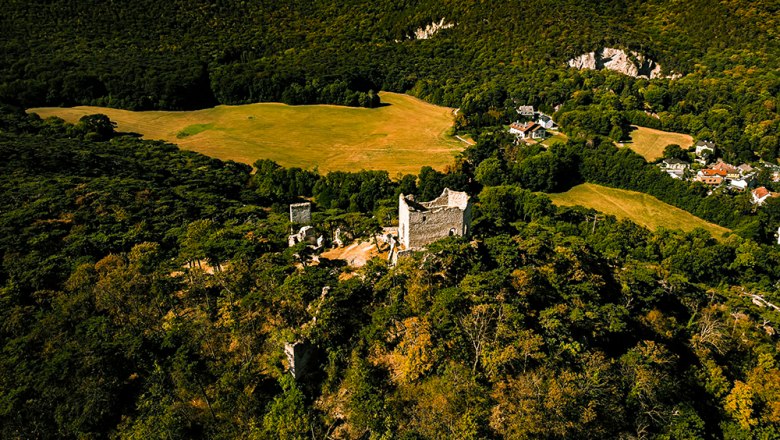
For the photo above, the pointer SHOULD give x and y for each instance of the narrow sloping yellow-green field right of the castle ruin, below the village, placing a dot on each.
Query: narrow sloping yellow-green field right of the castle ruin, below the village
(638, 207)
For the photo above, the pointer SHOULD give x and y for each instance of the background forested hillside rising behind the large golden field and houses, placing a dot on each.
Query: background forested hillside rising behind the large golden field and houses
(185, 54)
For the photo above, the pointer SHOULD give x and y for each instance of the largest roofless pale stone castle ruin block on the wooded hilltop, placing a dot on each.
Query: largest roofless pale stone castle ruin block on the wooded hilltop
(422, 223)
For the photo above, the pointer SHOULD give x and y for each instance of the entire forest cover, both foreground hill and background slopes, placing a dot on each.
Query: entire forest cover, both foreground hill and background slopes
(150, 292)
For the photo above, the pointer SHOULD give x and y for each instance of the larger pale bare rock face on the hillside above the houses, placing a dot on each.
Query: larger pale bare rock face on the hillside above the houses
(631, 63)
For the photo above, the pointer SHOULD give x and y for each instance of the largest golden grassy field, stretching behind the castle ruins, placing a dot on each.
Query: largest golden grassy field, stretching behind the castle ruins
(399, 137)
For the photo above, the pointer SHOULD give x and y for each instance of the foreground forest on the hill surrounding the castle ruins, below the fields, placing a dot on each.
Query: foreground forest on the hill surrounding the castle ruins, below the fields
(148, 292)
